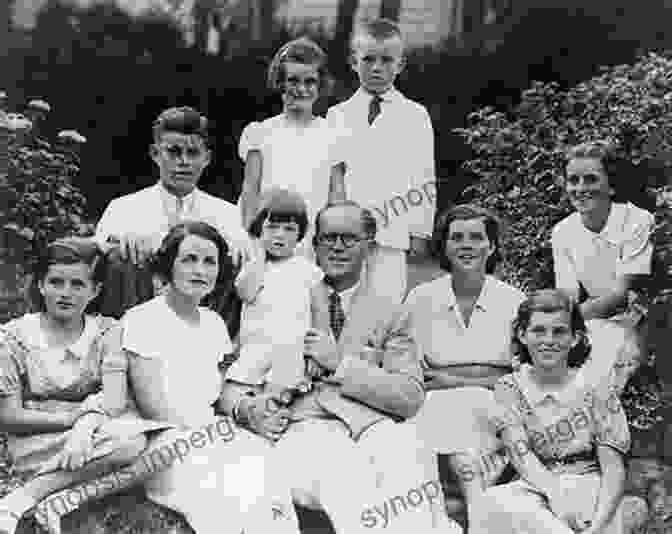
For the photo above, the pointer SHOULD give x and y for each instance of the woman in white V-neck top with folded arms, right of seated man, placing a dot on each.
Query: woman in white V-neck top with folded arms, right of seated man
(462, 323)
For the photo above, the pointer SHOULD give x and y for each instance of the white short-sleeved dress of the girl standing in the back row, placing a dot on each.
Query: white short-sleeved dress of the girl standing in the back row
(296, 158)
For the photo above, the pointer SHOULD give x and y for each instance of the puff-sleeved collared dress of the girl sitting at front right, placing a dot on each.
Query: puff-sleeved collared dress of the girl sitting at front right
(563, 431)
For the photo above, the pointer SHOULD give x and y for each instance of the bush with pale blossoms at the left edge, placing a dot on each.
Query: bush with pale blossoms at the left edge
(36, 192)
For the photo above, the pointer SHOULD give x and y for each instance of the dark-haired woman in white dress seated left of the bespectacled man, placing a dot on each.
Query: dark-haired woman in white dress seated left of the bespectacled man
(173, 348)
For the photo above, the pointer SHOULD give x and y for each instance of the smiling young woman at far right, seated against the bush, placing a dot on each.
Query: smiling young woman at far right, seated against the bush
(597, 251)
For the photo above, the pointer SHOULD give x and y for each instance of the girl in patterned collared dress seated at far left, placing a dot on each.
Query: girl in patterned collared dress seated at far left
(51, 368)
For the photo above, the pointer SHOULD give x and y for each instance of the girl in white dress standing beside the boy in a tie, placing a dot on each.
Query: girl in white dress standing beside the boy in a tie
(296, 149)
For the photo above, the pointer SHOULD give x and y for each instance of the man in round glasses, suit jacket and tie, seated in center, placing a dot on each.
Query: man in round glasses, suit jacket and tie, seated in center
(342, 446)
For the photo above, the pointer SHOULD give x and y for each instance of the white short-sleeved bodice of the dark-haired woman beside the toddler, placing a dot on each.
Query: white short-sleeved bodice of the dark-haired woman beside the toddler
(189, 354)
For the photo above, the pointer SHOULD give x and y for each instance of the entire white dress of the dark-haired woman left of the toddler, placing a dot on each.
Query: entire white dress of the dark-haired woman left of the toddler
(227, 484)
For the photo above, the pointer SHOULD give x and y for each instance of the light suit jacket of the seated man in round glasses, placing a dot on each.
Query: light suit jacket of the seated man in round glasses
(380, 376)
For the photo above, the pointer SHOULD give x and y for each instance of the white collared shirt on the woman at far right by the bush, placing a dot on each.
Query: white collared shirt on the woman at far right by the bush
(598, 259)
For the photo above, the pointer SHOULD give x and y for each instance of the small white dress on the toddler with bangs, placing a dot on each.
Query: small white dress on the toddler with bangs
(273, 326)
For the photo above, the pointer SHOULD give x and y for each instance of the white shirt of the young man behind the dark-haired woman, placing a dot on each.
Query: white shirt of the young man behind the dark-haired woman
(154, 211)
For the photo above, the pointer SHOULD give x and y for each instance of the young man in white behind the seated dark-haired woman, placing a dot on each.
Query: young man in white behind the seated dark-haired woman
(133, 225)
